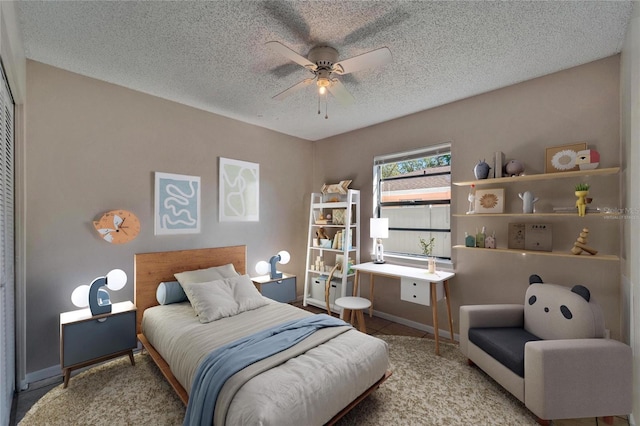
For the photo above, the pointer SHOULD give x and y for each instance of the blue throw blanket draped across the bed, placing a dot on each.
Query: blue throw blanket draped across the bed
(224, 362)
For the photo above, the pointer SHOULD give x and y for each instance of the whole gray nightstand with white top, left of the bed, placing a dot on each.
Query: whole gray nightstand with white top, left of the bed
(86, 339)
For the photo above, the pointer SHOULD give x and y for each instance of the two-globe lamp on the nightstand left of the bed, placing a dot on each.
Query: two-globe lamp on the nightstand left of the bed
(96, 297)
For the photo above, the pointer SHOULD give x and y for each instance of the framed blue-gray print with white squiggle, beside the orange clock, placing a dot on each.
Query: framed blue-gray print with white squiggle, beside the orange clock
(177, 204)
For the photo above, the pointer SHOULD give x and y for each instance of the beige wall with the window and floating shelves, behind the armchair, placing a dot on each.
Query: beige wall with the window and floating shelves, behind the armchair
(577, 105)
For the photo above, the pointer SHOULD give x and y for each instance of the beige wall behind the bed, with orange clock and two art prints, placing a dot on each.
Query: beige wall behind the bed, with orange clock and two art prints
(93, 146)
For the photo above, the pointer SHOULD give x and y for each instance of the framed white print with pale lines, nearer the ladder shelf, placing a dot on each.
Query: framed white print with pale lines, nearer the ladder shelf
(239, 191)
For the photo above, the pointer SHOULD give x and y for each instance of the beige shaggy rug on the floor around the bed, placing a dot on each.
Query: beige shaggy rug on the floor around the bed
(423, 390)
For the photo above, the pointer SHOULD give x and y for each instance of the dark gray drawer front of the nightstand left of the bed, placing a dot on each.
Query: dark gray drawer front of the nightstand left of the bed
(86, 340)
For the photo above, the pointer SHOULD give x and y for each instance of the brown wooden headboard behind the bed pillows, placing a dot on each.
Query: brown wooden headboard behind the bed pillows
(150, 269)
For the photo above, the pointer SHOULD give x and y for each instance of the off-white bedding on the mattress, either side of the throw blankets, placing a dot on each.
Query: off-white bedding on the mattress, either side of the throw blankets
(308, 389)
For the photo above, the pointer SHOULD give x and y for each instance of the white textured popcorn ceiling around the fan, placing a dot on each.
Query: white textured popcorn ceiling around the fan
(211, 54)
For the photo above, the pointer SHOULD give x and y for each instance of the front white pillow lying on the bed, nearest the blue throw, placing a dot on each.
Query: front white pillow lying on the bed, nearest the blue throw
(211, 300)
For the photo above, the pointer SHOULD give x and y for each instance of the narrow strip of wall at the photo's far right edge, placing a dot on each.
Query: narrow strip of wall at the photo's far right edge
(630, 295)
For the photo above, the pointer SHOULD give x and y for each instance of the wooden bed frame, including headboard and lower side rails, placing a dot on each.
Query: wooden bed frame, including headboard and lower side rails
(150, 269)
